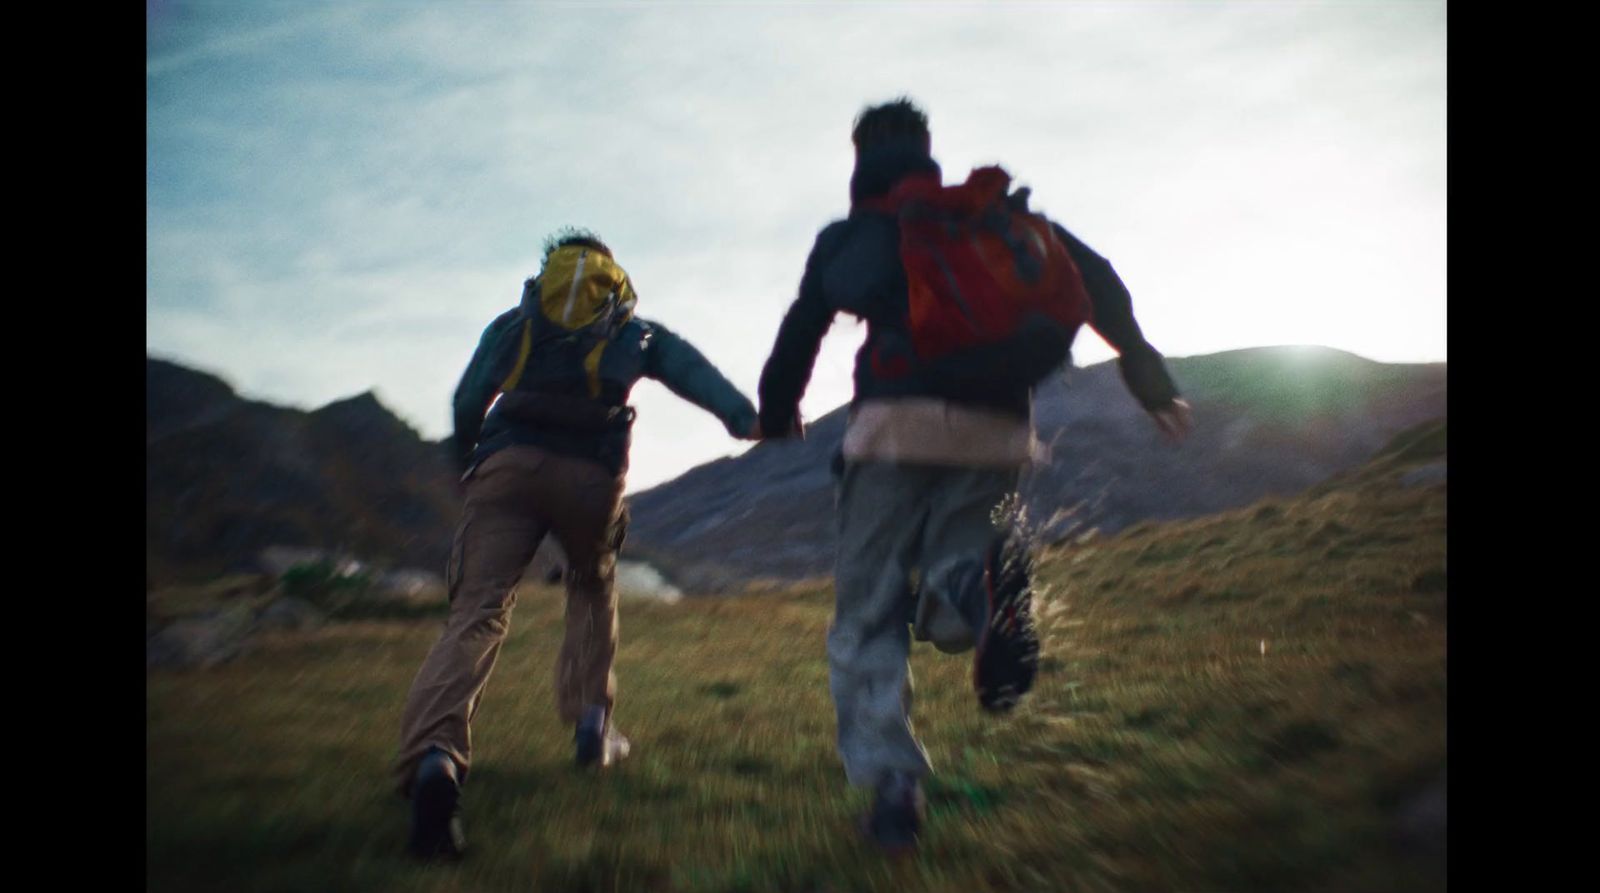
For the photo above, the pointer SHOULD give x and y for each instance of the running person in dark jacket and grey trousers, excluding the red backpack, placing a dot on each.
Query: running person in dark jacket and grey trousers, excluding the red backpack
(932, 451)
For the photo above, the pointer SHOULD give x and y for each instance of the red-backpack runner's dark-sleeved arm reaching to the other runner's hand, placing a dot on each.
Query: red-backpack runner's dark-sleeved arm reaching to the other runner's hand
(788, 367)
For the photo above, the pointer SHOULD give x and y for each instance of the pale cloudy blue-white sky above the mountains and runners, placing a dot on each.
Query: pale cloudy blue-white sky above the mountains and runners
(343, 194)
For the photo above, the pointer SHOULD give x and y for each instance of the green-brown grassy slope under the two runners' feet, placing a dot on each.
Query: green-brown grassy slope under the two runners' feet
(1246, 702)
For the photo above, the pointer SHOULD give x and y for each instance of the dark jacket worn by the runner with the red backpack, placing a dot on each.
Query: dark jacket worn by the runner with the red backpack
(855, 268)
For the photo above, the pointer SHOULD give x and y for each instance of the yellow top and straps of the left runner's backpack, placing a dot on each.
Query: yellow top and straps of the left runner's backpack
(583, 298)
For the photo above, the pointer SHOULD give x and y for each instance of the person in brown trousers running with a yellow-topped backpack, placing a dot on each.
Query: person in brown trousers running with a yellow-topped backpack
(551, 459)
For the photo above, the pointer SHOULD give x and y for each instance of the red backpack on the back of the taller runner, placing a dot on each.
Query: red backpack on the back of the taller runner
(978, 262)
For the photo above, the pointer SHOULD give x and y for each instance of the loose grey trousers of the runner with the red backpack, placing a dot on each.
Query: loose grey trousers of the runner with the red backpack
(903, 526)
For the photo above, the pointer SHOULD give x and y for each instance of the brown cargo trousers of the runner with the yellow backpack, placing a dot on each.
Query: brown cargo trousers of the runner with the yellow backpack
(513, 502)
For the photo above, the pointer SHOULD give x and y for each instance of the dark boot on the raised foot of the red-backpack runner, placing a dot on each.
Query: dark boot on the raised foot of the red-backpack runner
(1007, 657)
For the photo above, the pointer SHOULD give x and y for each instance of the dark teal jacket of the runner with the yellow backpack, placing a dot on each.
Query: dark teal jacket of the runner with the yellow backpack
(551, 406)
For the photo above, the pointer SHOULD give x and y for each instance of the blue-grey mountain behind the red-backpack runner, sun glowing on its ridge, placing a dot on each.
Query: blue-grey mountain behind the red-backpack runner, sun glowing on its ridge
(1270, 422)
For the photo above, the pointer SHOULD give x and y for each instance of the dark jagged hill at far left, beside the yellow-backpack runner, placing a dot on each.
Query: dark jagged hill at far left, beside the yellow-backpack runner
(228, 478)
